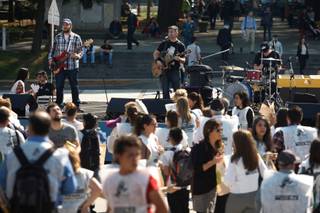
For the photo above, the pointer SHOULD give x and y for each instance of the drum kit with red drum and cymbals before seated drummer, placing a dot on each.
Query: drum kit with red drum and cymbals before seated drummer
(259, 85)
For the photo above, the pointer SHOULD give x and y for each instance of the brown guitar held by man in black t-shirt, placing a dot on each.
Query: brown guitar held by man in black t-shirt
(166, 62)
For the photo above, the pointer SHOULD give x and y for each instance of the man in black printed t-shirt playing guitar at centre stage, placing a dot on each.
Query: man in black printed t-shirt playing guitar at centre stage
(171, 73)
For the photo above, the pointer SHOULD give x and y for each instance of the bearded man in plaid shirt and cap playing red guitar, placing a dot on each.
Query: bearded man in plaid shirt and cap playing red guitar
(67, 43)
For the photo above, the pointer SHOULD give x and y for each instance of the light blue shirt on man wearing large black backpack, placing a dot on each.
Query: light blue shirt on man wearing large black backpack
(60, 173)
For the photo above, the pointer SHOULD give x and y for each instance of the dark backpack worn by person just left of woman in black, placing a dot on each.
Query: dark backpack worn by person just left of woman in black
(181, 170)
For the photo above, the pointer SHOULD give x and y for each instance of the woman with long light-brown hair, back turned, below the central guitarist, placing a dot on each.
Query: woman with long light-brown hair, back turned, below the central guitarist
(186, 120)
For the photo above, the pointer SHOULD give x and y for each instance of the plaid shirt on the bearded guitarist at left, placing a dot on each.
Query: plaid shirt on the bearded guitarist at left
(61, 44)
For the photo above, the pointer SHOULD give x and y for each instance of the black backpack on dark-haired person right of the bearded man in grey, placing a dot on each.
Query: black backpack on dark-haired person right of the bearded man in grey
(90, 150)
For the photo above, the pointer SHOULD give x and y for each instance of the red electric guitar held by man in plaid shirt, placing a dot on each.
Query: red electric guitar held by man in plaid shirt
(58, 62)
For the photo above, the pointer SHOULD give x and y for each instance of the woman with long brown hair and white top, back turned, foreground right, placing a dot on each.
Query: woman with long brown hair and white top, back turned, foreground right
(243, 174)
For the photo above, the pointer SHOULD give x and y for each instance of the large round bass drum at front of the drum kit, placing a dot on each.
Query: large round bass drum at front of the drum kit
(238, 87)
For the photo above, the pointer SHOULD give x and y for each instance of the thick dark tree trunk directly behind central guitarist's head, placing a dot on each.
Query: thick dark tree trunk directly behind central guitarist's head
(168, 13)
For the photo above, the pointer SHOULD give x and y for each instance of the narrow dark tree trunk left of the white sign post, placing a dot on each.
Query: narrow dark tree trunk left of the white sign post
(37, 38)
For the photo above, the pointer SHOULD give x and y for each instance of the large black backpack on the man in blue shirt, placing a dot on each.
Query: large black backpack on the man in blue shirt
(31, 192)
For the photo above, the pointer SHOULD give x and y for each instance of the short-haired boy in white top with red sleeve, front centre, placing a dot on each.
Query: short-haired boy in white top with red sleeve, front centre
(129, 188)
